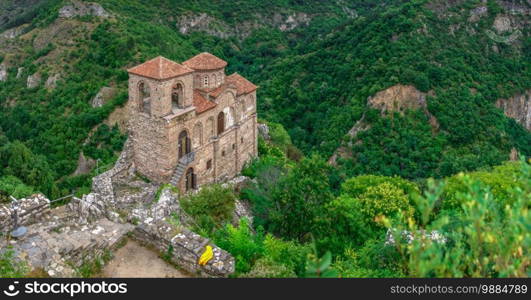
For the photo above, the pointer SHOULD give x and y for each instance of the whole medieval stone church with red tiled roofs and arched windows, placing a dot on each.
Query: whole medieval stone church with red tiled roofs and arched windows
(190, 124)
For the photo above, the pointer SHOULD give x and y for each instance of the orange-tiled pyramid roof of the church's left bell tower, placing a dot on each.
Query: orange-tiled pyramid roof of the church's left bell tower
(160, 68)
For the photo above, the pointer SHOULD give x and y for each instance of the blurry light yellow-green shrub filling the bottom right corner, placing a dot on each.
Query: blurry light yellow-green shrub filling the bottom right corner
(492, 241)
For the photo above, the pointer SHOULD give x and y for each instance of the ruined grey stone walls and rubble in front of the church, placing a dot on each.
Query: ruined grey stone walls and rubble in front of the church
(60, 240)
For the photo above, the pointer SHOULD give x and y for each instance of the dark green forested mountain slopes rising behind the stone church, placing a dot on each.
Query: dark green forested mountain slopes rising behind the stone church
(317, 63)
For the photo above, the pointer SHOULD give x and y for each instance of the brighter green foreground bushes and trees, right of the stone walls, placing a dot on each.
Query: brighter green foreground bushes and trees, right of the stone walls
(468, 225)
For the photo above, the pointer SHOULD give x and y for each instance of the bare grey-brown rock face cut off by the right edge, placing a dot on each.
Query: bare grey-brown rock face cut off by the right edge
(518, 108)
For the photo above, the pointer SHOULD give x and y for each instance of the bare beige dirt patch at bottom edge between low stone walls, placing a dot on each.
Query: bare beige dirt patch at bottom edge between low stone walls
(134, 260)
